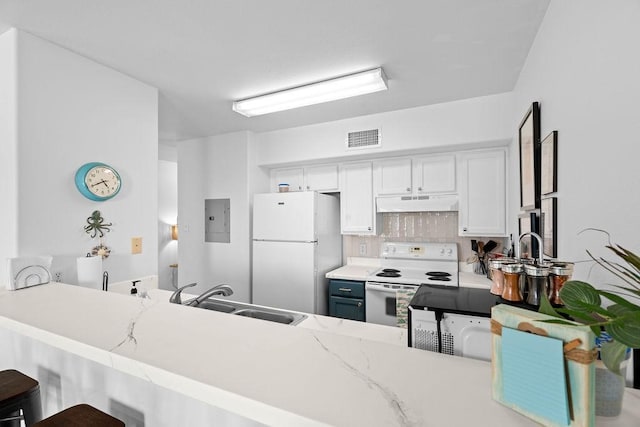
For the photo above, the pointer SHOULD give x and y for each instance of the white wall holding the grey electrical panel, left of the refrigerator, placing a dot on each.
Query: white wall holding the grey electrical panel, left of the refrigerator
(215, 168)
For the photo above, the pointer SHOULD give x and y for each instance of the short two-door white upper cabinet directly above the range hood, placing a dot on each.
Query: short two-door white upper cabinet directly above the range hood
(418, 175)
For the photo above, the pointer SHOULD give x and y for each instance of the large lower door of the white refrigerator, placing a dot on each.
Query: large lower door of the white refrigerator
(284, 275)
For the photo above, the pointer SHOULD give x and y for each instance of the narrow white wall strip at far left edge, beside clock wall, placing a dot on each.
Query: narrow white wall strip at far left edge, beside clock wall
(8, 149)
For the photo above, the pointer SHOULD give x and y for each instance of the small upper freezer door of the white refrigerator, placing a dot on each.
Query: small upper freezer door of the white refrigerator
(285, 216)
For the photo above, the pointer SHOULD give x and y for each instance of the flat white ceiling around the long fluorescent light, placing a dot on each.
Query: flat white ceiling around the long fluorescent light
(203, 54)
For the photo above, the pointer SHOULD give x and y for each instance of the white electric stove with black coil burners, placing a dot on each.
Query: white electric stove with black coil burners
(404, 267)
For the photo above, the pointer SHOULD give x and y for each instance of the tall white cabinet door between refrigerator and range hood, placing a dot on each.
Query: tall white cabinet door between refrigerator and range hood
(357, 212)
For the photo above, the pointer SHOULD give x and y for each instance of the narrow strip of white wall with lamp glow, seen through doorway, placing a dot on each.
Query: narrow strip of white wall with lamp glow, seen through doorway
(167, 215)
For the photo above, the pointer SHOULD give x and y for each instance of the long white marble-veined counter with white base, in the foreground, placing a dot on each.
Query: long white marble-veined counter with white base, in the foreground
(240, 371)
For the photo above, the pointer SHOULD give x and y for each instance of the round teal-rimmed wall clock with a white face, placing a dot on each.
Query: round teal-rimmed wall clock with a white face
(98, 181)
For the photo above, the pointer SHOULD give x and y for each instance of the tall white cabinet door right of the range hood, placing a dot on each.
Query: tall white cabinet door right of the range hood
(482, 193)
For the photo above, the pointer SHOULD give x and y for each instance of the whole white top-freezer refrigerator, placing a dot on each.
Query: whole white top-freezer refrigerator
(296, 241)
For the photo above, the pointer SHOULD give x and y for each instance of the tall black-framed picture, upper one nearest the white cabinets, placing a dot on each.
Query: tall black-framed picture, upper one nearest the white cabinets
(529, 139)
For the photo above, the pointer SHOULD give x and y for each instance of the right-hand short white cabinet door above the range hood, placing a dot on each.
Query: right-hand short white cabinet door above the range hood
(434, 174)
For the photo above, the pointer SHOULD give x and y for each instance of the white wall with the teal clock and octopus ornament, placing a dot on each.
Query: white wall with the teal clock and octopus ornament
(71, 111)
